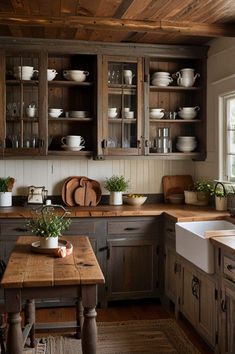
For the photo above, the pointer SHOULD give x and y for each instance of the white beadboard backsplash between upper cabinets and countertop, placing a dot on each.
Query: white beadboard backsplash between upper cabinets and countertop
(145, 176)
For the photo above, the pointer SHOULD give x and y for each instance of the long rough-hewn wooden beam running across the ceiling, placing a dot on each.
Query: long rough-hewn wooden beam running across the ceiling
(111, 24)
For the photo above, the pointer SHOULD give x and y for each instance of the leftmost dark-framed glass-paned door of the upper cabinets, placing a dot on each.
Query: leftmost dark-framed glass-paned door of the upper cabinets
(22, 104)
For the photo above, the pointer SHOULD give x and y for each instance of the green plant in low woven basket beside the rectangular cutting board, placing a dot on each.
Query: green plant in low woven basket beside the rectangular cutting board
(200, 192)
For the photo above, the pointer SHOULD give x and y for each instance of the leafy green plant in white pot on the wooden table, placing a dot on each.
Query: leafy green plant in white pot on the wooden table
(48, 224)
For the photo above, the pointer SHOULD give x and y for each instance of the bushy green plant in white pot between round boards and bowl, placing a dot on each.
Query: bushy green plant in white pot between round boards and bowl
(116, 185)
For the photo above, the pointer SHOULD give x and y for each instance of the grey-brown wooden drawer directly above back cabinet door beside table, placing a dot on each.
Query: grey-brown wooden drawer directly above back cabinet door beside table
(132, 227)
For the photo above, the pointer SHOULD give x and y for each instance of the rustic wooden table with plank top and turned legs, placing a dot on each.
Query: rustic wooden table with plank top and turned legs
(30, 276)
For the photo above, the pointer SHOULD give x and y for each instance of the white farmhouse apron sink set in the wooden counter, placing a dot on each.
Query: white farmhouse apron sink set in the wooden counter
(192, 244)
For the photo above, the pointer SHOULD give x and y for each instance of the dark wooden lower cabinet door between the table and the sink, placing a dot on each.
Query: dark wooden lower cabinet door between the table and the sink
(131, 268)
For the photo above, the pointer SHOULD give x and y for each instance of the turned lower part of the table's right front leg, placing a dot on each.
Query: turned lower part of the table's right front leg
(89, 331)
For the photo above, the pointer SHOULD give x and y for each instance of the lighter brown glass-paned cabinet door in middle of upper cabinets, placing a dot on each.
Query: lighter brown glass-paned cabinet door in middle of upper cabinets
(121, 106)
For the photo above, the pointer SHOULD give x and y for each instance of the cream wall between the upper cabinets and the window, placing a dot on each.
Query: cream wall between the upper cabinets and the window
(220, 70)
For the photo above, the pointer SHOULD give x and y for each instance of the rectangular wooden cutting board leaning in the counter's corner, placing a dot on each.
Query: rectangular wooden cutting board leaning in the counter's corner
(176, 184)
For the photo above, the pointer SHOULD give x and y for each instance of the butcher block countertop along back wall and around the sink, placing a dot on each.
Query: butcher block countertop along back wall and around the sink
(174, 212)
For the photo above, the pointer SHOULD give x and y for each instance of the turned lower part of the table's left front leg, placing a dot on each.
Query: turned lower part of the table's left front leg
(14, 336)
